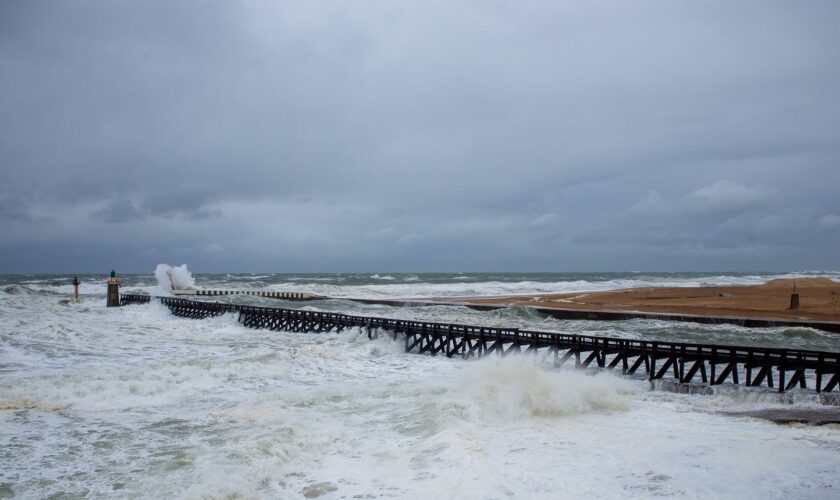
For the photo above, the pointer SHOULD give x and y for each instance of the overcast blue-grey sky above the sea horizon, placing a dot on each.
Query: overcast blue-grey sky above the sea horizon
(256, 135)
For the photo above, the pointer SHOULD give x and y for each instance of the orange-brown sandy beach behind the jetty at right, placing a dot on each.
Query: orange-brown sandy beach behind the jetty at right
(819, 300)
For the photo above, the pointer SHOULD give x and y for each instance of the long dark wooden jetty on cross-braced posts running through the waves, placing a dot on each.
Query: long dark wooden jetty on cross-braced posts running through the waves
(779, 369)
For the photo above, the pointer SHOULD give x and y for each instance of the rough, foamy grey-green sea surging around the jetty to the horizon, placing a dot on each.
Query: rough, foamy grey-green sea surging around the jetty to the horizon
(133, 402)
